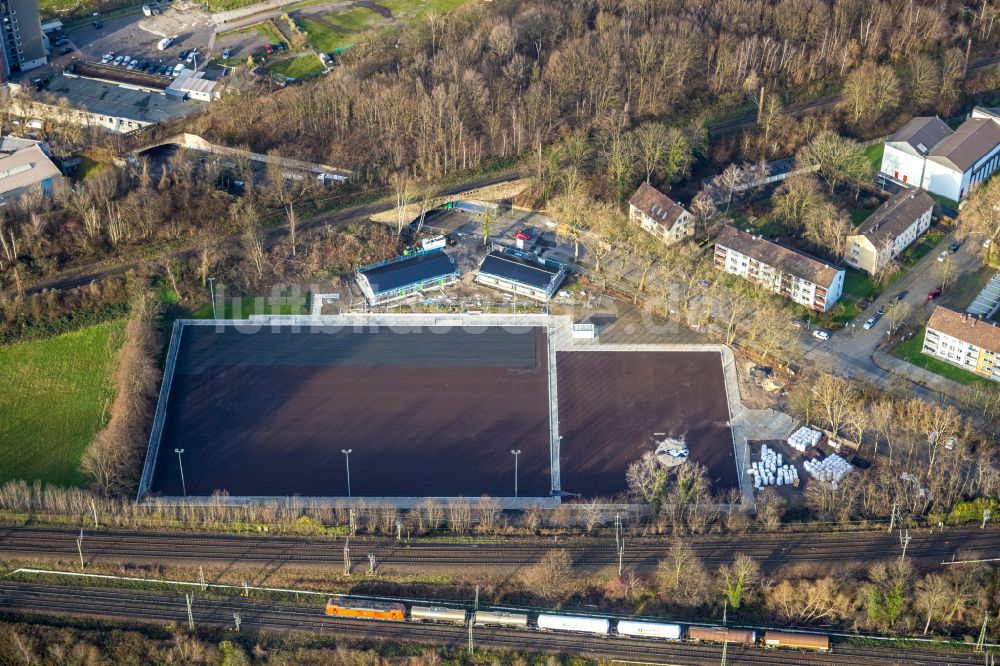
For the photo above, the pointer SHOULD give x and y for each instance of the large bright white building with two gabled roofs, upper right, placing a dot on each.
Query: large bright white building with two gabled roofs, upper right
(926, 153)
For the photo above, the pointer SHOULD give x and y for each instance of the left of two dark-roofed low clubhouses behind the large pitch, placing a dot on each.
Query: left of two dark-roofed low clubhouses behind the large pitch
(400, 277)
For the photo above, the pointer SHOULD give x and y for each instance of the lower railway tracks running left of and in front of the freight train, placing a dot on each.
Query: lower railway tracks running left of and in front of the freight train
(154, 608)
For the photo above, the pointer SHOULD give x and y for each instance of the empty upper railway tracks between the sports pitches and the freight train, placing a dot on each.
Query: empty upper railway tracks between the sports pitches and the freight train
(770, 550)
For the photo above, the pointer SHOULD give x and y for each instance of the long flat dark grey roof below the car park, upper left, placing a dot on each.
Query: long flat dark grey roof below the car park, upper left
(107, 99)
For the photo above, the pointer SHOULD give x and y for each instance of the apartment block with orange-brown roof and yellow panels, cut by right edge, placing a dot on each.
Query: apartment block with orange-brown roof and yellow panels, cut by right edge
(964, 340)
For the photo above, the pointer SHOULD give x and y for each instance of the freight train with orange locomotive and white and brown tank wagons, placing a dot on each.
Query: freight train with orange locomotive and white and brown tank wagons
(598, 626)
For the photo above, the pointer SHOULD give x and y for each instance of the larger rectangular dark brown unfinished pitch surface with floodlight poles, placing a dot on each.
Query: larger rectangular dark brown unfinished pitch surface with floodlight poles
(427, 412)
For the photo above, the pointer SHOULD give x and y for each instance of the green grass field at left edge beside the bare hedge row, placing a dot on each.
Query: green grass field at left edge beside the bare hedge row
(56, 395)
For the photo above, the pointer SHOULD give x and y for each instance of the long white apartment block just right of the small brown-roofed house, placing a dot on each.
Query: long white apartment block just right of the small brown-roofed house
(795, 275)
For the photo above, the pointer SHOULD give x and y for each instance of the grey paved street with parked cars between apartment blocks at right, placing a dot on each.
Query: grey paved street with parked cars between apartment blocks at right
(852, 347)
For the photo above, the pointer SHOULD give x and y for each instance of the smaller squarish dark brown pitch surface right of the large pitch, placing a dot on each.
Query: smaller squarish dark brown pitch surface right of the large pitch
(613, 404)
